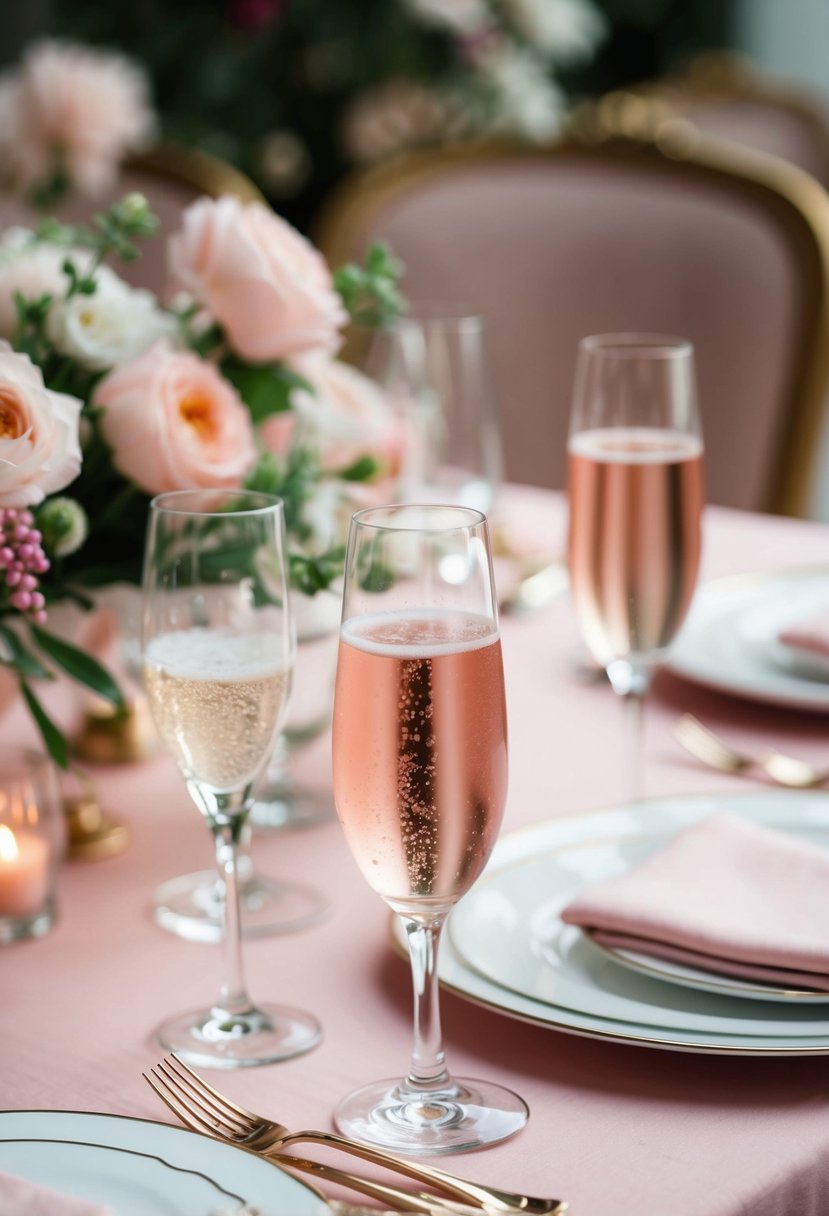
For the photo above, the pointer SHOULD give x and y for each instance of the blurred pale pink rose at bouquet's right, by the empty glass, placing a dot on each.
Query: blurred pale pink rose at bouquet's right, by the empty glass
(348, 416)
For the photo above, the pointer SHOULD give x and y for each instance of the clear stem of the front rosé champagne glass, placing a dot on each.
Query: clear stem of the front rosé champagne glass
(428, 1068)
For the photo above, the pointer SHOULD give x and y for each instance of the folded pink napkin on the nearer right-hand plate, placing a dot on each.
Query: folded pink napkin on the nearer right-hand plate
(726, 896)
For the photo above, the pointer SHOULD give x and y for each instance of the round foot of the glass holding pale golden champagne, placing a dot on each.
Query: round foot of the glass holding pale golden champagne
(263, 1035)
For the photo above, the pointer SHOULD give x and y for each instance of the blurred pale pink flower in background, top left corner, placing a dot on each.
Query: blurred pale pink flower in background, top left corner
(74, 106)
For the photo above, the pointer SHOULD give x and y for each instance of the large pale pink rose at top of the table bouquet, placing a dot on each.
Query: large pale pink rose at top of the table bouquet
(260, 278)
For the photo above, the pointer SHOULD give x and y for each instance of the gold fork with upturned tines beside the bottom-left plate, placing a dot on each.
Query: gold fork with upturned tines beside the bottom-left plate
(206, 1110)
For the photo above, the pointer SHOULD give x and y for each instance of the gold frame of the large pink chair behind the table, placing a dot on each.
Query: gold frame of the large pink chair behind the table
(798, 202)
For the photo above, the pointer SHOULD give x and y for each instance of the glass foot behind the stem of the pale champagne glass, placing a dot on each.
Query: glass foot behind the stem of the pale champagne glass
(191, 907)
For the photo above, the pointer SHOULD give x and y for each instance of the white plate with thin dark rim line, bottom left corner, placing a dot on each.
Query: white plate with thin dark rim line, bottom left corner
(146, 1169)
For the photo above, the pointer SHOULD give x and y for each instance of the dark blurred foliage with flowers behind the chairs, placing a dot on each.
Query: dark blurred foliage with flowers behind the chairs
(295, 93)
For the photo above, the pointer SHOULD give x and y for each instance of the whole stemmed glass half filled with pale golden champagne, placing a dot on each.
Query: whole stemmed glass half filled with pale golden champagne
(218, 650)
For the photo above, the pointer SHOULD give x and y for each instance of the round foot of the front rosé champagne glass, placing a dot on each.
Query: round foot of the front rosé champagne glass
(466, 1116)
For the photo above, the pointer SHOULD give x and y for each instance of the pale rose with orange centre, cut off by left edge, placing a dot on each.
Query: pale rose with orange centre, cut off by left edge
(40, 447)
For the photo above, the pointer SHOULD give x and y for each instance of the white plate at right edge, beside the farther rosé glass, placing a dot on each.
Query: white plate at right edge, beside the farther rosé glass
(730, 640)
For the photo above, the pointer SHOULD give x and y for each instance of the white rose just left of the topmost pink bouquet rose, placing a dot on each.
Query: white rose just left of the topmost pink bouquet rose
(110, 328)
